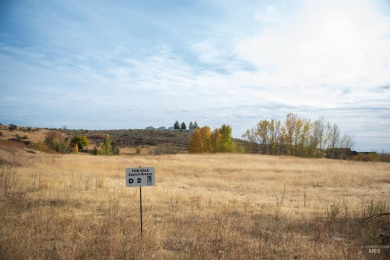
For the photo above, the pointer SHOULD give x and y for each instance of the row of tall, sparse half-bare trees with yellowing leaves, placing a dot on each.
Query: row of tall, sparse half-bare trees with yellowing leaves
(296, 136)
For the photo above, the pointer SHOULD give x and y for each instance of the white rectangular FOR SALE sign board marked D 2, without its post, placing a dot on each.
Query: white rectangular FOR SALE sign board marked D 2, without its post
(138, 177)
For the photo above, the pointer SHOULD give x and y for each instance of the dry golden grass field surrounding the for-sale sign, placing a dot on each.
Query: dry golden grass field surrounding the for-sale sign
(220, 206)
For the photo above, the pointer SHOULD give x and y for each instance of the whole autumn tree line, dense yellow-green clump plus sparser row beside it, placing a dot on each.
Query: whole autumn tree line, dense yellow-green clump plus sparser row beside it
(294, 136)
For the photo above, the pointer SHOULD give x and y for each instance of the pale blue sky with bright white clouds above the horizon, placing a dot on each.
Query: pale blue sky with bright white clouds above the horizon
(127, 64)
